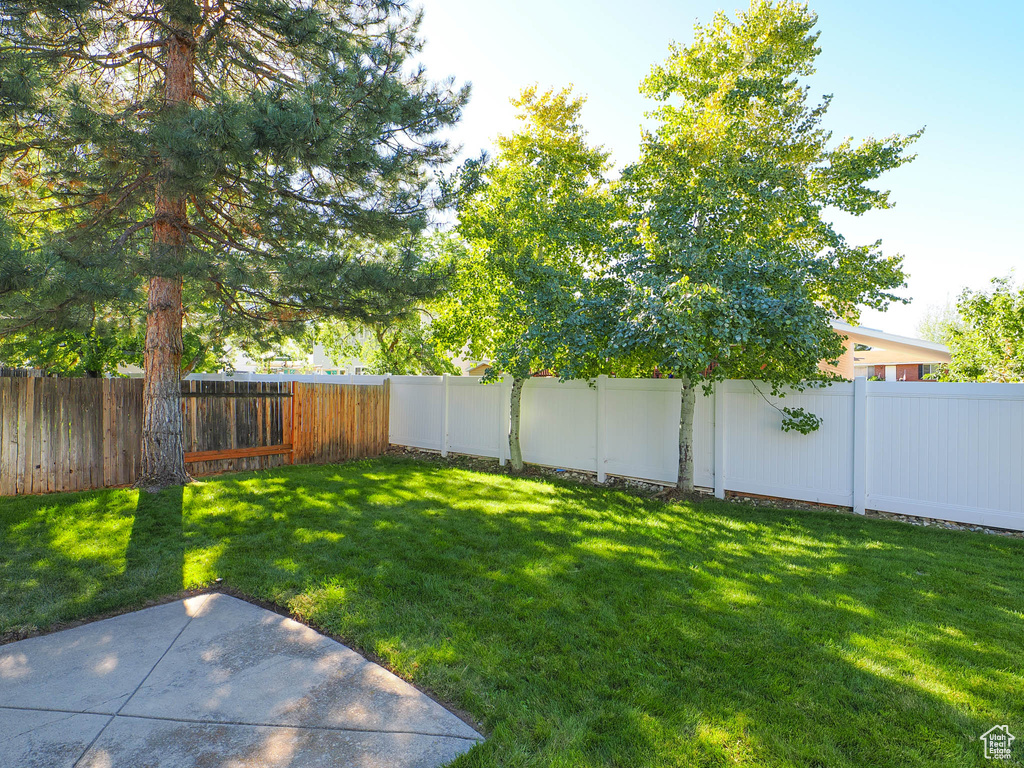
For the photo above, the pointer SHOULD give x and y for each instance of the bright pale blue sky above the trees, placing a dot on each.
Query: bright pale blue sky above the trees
(893, 67)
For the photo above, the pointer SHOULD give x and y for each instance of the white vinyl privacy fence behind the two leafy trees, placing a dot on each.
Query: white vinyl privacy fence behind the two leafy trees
(954, 452)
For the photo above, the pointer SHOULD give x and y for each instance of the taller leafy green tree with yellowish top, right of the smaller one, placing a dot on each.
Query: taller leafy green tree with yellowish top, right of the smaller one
(732, 267)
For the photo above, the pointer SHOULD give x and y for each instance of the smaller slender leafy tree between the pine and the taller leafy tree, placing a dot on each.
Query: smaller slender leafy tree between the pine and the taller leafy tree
(532, 236)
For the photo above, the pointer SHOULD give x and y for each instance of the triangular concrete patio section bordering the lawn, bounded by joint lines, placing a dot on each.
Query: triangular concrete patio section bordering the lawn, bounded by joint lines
(241, 664)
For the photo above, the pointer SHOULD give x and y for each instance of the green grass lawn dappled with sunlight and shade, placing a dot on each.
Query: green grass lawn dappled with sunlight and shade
(580, 626)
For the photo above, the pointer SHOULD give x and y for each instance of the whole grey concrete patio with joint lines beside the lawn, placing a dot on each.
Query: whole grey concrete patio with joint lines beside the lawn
(212, 681)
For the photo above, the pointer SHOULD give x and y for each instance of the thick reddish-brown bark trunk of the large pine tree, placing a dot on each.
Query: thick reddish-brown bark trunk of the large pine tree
(163, 450)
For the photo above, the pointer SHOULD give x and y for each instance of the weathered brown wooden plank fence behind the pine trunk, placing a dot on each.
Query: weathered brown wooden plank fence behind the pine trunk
(74, 435)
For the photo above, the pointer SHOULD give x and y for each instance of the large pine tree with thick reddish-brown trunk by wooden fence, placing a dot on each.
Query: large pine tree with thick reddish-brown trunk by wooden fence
(253, 154)
